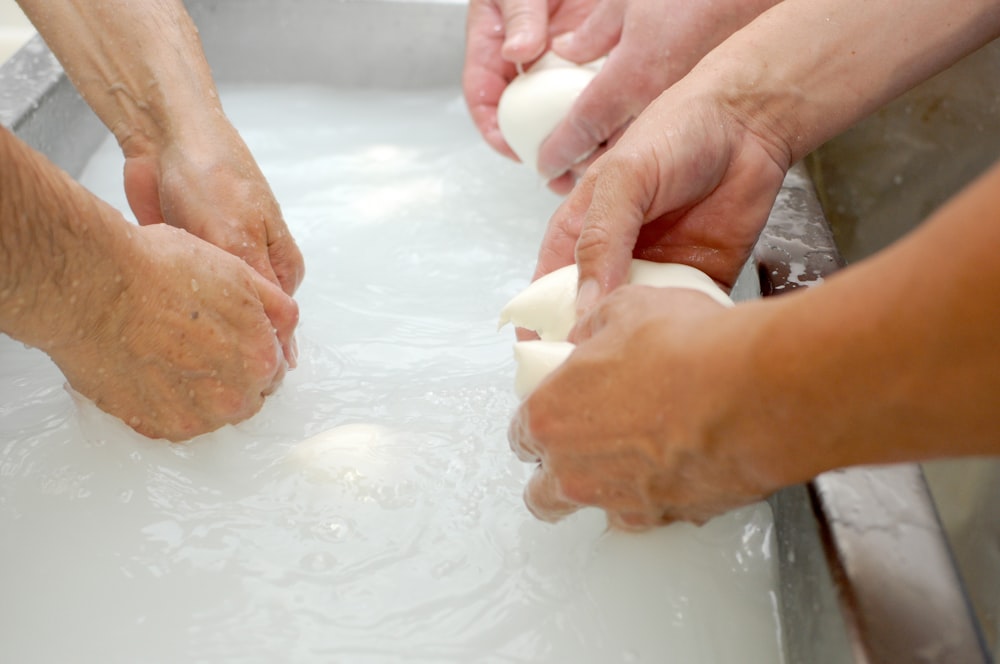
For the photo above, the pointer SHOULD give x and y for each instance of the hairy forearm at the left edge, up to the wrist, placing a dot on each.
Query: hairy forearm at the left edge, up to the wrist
(52, 237)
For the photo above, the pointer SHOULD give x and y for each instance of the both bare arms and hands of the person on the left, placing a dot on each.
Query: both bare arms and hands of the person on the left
(185, 323)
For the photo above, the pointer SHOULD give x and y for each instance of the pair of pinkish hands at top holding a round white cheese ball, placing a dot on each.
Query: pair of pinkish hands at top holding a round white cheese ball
(650, 46)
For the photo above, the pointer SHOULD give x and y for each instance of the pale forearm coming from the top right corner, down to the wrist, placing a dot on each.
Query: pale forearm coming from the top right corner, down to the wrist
(806, 70)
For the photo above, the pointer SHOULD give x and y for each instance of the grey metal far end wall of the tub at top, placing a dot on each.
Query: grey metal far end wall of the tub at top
(241, 38)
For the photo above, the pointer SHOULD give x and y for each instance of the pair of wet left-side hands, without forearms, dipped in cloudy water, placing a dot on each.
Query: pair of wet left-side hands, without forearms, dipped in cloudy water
(204, 329)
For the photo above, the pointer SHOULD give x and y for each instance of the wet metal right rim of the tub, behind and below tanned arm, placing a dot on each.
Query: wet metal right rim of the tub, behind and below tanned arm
(901, 597)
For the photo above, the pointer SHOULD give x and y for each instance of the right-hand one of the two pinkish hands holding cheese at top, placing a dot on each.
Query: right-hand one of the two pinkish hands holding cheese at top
(650, 45)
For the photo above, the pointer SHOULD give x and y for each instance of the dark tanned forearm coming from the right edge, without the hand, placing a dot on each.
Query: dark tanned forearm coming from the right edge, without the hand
(894, 359)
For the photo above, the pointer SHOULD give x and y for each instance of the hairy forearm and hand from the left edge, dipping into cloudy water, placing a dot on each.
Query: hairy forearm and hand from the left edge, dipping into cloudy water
(167, 332)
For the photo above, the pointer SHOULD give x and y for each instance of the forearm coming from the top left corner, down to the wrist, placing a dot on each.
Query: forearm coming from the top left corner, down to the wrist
(139, 65)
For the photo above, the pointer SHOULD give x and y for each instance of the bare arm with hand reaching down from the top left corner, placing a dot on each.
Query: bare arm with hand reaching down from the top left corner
(141, 67)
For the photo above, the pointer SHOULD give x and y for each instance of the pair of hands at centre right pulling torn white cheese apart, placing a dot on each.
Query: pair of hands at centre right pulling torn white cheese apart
(623, 424)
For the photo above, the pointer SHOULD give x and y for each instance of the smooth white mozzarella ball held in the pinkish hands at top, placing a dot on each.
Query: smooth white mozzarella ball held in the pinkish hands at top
(536, 101)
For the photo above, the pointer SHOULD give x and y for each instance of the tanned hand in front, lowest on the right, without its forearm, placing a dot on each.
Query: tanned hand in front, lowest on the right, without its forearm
(640, 434)
